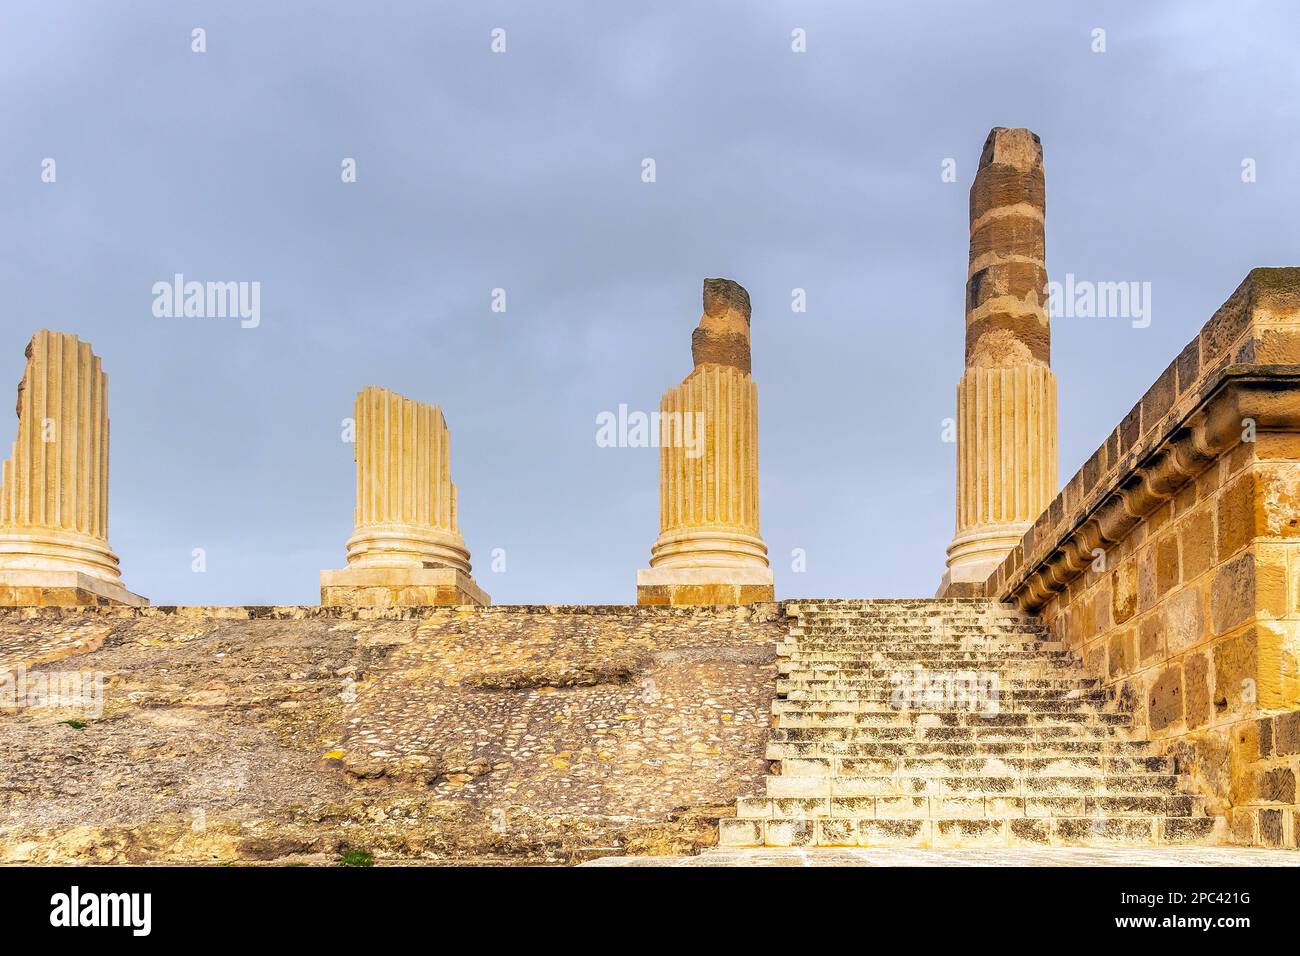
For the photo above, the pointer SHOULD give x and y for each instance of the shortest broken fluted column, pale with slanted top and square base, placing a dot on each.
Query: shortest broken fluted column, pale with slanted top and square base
(406, 548)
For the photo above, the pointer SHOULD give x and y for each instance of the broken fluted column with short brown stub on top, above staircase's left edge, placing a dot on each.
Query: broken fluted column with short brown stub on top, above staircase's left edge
(709, 550)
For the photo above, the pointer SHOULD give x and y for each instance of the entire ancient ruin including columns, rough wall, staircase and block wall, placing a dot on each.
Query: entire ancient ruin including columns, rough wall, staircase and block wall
(1115, 665)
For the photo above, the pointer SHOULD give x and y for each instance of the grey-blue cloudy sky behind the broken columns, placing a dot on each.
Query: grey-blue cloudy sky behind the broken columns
(523, 171)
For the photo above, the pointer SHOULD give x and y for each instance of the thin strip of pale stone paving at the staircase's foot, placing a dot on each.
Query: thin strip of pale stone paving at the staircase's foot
(1013, 856)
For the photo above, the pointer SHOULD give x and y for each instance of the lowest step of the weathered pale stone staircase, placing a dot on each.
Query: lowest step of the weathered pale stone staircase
(1077, 832)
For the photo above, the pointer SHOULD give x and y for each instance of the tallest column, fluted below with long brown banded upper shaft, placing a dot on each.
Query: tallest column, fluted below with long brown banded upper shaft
(1007, 401)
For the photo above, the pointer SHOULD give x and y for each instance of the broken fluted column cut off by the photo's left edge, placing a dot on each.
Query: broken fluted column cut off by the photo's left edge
(54, 488)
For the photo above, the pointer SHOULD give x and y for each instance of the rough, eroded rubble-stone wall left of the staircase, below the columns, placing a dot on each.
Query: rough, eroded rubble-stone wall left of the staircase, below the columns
(462, 734)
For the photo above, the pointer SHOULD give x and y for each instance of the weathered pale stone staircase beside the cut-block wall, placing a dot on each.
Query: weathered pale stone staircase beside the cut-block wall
(954, 724)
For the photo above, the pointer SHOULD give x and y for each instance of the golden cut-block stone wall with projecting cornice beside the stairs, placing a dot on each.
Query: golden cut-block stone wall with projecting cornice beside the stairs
(1172, 560)
